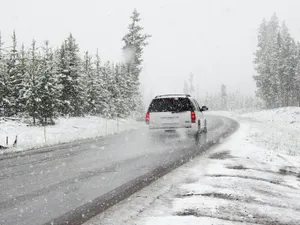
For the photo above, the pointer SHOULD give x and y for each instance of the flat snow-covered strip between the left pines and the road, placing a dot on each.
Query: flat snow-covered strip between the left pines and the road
(65, 130)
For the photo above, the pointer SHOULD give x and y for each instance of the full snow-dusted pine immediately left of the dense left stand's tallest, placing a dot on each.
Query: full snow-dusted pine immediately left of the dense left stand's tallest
(48, 88)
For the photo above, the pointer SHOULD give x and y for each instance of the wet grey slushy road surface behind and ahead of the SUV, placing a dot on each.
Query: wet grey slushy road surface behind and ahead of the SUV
(40, 187)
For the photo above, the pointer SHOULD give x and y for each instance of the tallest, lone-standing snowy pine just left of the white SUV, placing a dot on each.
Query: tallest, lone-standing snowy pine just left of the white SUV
(134, 43)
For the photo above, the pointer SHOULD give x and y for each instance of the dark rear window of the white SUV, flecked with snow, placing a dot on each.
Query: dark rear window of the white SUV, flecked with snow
(171, 105)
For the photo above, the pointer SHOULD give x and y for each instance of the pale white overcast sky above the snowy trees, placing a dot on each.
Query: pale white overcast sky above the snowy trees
(213, 39)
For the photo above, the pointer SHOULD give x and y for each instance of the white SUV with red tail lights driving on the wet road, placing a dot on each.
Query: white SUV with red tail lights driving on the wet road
(176, 111)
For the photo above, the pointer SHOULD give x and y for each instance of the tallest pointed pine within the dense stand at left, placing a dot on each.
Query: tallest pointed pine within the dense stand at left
(69, 77)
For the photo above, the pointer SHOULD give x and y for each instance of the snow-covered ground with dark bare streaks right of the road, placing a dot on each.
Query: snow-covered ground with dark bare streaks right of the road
(252, 178)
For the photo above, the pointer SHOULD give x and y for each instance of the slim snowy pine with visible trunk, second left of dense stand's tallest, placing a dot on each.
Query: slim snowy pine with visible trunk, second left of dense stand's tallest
(31, 94)
